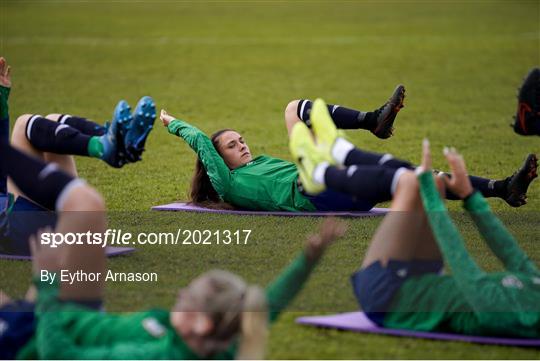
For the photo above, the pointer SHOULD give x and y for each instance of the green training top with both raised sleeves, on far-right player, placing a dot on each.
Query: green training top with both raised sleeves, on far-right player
(470, 301)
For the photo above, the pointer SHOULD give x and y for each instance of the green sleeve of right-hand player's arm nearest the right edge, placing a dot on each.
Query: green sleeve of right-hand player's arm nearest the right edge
(500, 241)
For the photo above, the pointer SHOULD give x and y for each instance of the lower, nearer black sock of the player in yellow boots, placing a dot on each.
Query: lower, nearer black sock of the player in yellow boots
(370, 183)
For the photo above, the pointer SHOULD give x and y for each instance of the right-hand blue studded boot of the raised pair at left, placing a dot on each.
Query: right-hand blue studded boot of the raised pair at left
(141, 125)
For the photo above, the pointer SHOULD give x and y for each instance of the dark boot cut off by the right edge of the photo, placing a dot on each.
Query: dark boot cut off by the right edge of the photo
(527, 117)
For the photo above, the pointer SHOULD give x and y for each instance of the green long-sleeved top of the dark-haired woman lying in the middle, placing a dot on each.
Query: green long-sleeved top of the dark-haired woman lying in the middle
(265, 183)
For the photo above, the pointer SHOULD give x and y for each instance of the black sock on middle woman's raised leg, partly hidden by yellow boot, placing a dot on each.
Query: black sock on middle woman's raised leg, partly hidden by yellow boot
(344, 118)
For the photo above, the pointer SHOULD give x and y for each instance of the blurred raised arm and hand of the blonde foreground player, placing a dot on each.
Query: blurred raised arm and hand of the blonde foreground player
(288, 284)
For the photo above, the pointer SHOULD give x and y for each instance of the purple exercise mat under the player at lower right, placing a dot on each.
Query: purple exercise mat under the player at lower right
(358, 322)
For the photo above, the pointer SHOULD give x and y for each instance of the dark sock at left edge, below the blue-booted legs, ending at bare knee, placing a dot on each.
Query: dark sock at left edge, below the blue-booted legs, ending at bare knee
(43, 183)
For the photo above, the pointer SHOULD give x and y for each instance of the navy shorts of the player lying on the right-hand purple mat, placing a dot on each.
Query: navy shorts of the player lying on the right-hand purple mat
(375, 285)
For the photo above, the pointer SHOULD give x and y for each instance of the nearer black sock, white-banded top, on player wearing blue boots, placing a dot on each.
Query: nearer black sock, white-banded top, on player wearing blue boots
(50, 136)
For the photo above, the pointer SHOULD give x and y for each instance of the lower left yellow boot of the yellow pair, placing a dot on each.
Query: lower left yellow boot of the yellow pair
(307, 157)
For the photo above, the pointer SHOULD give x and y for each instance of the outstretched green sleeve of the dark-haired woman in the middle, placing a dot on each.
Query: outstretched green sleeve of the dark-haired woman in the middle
(217, 170)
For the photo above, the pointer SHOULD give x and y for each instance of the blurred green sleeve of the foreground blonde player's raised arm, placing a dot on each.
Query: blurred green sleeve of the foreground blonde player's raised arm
(287, 285)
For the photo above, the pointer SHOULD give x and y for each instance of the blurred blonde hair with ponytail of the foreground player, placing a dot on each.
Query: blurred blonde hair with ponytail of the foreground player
(236, 310)
